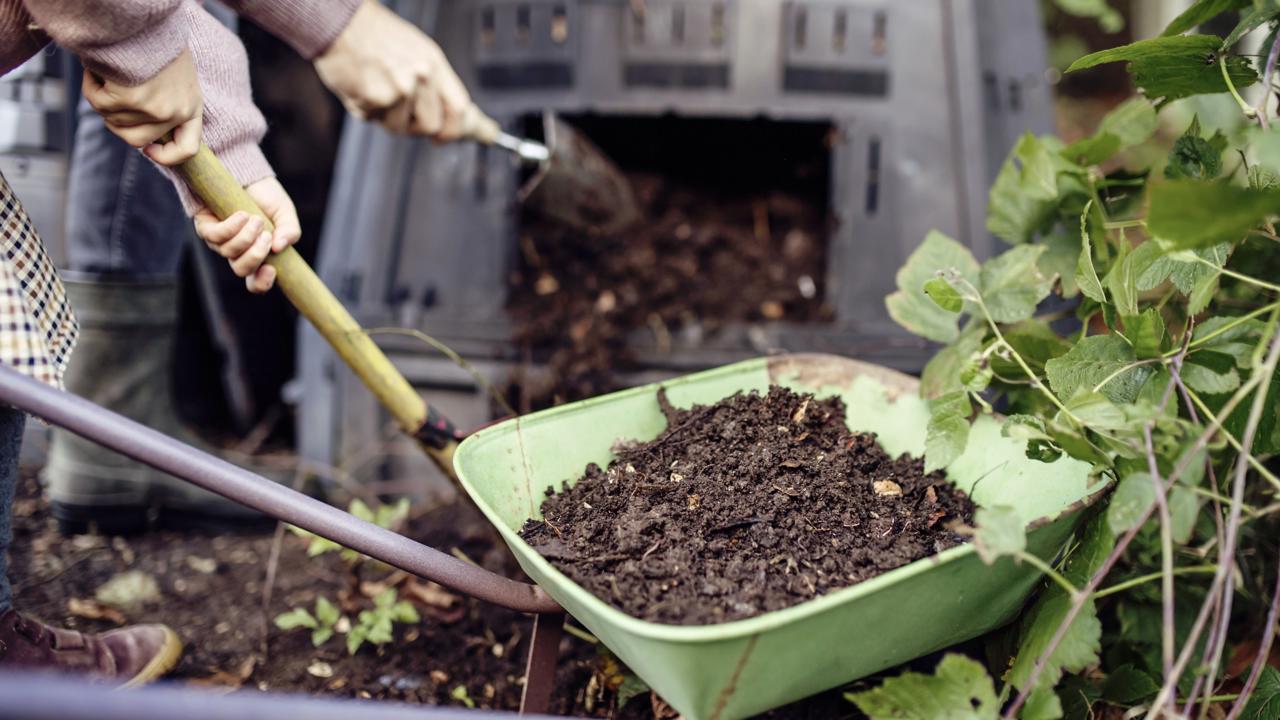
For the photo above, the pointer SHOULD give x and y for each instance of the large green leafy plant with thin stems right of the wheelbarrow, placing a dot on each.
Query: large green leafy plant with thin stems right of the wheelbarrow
(1132, 325)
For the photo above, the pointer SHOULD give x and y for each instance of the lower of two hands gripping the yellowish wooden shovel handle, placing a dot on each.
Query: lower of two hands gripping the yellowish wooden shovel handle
(243, 239)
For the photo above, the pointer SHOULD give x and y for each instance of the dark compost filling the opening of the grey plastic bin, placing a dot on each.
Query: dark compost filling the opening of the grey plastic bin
(701, 259)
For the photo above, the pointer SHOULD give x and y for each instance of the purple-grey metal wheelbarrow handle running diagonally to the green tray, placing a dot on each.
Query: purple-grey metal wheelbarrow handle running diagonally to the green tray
(214, 475)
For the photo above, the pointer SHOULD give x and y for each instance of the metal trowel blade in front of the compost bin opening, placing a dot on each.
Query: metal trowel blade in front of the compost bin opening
(579, 185)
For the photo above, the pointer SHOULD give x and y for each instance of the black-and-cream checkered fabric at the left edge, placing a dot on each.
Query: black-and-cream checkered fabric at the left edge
(38, 329)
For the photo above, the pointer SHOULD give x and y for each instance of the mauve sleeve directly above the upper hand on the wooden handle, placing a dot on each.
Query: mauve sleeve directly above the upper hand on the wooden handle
(127, 42)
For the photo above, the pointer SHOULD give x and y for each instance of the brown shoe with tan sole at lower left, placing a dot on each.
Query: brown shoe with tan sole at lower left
(126, 658)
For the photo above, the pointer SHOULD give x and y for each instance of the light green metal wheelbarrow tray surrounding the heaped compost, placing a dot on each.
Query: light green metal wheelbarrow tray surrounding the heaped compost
(738, 669)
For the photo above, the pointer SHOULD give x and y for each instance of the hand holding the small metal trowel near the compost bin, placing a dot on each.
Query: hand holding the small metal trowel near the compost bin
(386, 70)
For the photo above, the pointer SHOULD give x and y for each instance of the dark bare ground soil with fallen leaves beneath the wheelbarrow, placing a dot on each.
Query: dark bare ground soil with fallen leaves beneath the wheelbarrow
(211, 591)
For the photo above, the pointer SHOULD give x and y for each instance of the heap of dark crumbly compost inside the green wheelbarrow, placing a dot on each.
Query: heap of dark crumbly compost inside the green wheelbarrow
(753, 504)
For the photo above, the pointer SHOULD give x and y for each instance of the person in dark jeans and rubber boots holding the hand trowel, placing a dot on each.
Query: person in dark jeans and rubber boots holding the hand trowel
(126, 234)
